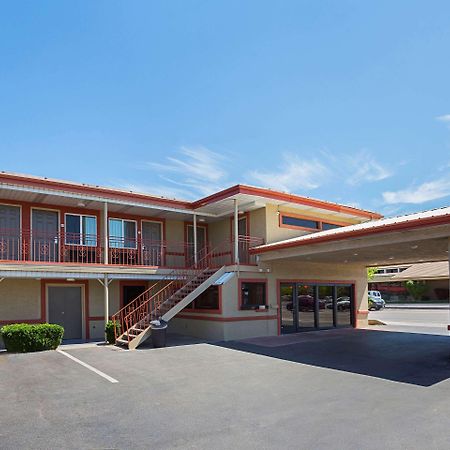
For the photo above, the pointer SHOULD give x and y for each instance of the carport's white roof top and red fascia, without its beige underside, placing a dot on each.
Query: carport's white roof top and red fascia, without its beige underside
(424, 219)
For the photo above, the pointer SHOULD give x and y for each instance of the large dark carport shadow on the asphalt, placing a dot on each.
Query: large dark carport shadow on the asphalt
(412, 358)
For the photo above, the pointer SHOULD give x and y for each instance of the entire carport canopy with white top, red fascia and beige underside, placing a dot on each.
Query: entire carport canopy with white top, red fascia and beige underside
(413, 238)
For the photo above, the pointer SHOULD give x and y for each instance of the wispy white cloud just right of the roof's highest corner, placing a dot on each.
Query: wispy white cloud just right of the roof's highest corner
(293, 174)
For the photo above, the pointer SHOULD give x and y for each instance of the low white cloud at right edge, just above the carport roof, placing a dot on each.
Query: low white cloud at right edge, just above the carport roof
(425, 192)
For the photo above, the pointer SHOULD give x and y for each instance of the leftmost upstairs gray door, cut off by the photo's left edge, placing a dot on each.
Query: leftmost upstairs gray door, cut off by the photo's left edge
(9, 233)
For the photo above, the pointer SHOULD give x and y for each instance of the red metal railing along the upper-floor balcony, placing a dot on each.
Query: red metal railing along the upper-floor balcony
(75, 248)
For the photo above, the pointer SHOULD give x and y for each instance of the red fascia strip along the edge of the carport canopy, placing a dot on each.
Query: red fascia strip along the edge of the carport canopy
(412, 224)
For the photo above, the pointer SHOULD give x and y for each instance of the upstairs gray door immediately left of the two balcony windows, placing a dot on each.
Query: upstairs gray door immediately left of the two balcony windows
(45, 242)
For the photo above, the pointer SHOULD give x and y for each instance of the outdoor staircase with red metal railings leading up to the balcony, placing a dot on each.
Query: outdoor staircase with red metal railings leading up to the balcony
(166, 298)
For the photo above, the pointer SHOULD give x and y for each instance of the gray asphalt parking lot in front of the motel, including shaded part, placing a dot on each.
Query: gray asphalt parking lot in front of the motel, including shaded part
(340, 389)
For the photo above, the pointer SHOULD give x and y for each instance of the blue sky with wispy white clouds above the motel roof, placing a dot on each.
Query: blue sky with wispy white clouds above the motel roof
(346, 101)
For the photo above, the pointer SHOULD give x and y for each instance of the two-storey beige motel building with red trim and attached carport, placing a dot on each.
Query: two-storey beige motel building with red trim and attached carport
(244, 262)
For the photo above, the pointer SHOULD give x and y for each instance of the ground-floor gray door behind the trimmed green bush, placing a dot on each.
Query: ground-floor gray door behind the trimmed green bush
(64, 308)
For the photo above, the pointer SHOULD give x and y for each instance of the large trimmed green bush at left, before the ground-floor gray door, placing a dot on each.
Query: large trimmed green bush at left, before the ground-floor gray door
(23, 337)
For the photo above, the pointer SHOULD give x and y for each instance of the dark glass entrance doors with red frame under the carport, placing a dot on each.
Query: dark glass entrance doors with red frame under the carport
(306, 307)
